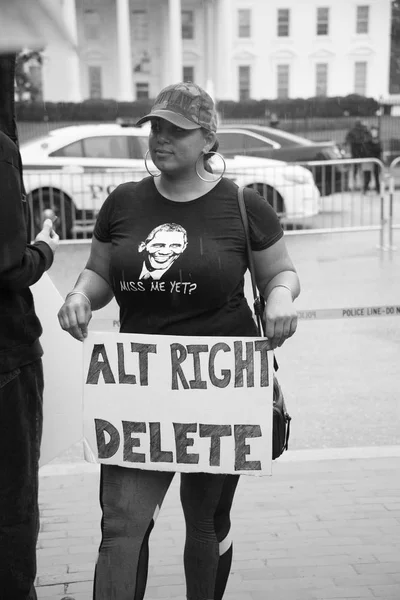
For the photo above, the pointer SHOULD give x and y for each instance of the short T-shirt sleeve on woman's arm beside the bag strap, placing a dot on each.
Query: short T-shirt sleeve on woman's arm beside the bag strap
(265, 228)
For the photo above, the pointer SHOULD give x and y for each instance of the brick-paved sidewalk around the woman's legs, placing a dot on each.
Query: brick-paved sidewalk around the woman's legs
(325, 525)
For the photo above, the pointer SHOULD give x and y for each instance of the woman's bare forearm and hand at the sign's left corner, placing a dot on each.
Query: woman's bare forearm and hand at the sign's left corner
(91, 292)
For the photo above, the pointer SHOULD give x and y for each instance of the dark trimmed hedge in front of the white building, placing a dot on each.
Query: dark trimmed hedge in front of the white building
(110, 110)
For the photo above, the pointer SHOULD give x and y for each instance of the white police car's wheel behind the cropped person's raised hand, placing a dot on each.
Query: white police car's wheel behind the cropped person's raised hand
(59, 203)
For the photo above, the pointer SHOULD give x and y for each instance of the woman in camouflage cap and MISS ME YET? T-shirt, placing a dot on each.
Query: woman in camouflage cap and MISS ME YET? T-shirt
(171, 249)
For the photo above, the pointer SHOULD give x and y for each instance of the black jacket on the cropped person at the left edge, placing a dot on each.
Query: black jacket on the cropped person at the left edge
(21, 265)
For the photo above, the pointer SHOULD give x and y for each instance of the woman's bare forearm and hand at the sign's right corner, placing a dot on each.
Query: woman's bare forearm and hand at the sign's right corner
(279, 284)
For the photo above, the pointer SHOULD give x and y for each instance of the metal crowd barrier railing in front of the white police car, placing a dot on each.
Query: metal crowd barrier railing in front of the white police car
(310, 197)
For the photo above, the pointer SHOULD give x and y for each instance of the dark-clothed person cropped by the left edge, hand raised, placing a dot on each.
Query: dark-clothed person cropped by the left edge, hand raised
(21, 377)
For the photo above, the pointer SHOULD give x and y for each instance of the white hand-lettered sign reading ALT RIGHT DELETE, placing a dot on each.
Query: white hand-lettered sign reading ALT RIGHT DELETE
(174, 403)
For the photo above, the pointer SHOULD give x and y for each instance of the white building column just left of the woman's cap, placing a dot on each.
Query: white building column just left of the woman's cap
(125, 74)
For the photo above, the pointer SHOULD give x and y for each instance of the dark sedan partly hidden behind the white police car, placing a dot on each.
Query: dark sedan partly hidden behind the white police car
(268, 142)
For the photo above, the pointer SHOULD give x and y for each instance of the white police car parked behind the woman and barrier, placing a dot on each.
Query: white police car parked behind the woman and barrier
(73, 169)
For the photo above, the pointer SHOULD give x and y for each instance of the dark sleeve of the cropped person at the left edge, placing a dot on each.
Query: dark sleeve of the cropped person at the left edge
(21, 264)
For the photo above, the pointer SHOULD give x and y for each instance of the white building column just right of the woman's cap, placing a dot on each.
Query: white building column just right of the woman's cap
(223, 50)
